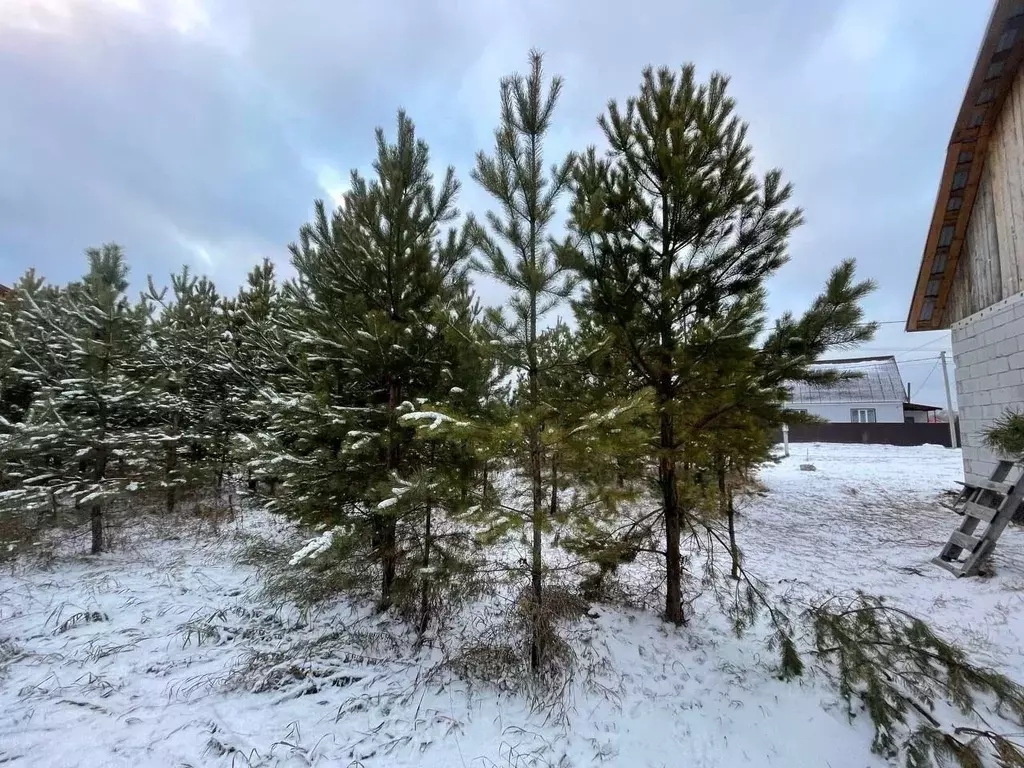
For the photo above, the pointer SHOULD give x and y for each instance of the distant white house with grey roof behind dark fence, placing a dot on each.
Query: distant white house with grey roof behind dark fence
(875, 394)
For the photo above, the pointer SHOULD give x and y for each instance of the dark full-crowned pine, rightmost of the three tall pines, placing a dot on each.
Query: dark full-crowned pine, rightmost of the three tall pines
(674, 231)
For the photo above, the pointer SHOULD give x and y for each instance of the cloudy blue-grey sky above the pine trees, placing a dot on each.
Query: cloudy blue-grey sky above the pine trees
(200, 132)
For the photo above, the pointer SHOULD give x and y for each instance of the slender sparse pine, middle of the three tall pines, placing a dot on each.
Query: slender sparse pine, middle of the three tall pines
(519, 253)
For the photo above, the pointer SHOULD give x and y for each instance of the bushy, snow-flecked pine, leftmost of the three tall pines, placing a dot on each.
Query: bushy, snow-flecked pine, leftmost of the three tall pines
(376, 283)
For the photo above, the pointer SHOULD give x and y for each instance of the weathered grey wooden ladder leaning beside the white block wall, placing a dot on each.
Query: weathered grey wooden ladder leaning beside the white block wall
(992, 504)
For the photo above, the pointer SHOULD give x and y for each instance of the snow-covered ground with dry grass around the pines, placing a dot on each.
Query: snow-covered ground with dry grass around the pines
(141, 658)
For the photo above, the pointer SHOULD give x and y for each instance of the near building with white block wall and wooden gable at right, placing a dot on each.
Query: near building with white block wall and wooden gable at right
(972, 272)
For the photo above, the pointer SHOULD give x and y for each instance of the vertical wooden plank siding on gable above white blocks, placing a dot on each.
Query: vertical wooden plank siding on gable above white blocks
(992, 266)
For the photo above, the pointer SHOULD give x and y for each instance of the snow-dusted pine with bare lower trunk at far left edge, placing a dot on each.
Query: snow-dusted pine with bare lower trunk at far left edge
(82, 437)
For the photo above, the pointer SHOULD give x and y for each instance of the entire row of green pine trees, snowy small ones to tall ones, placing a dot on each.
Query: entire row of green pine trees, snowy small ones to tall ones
(373, 399)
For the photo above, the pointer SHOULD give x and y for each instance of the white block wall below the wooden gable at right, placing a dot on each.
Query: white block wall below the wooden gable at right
(989, 352)
